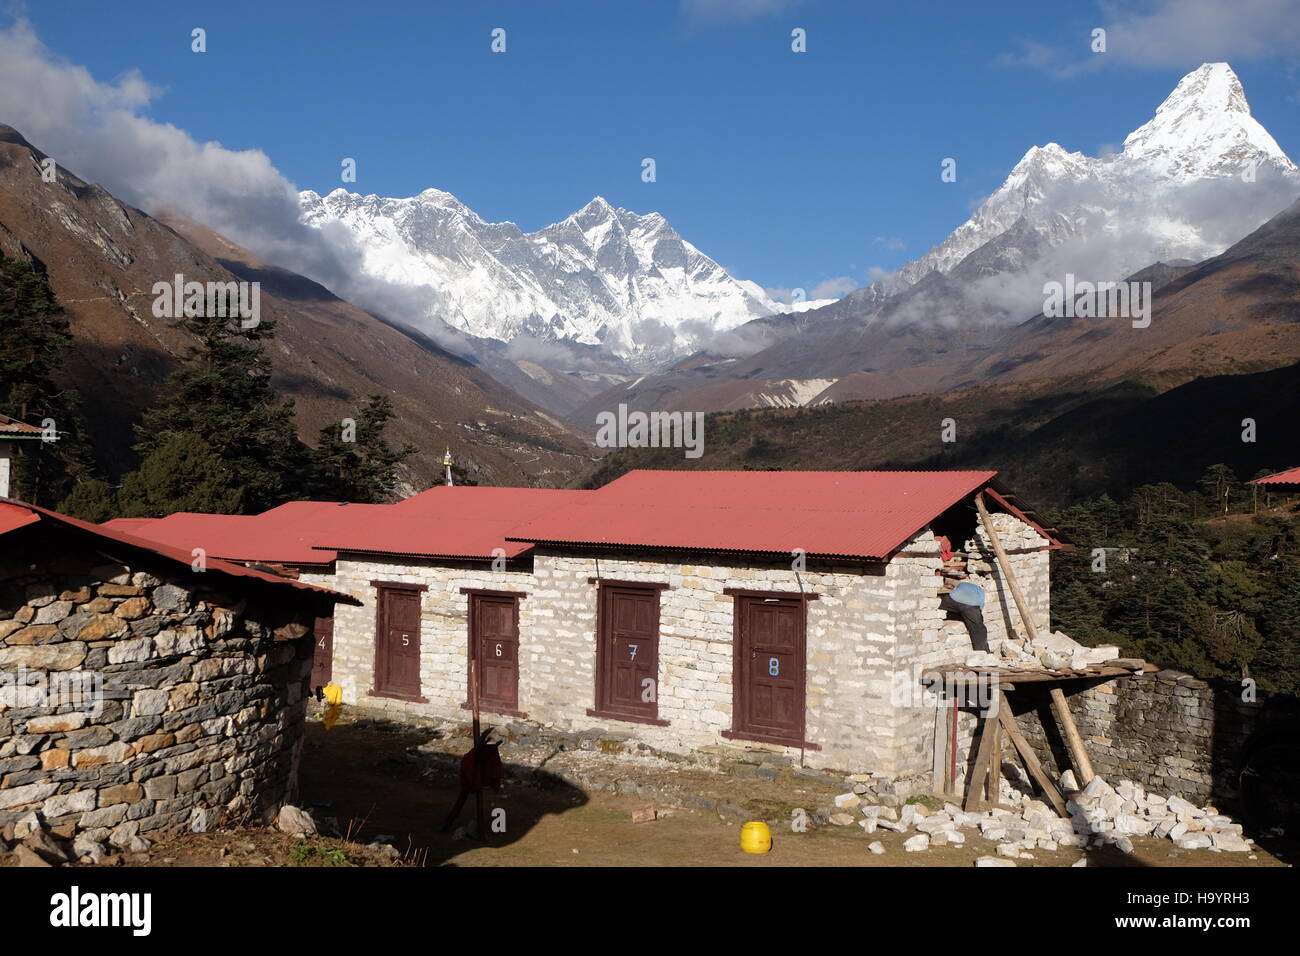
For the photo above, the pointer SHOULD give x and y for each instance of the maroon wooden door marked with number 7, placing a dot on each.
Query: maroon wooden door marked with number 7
(629, 652)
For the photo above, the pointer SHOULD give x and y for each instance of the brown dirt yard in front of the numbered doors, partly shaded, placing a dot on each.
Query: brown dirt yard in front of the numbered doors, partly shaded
(371, 780)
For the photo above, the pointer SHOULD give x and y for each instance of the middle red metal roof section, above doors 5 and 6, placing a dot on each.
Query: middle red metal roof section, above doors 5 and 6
(462, 522)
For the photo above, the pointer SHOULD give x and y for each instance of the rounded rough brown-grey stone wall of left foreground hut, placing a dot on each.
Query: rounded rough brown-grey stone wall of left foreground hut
(155, 697)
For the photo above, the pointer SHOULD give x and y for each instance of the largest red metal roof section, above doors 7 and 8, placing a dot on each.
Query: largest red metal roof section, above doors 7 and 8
(863, 514)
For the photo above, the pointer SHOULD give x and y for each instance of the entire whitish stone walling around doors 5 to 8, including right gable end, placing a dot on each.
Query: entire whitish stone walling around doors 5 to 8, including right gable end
(872, 633)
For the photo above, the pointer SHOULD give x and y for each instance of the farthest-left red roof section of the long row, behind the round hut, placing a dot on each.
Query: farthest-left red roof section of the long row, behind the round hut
(284, 535)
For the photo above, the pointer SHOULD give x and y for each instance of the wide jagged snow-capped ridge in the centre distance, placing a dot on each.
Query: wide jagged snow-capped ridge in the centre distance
(603, 276)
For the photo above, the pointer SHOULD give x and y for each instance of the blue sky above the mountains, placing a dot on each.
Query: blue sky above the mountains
(791, 170)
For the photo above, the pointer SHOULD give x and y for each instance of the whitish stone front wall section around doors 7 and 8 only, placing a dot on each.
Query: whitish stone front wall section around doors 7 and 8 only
(850, 656)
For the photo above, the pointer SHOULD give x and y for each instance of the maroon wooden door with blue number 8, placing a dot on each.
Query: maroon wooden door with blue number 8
(770, 669)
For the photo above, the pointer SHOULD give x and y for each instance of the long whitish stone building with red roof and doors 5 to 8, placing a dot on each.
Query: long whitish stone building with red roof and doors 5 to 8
(790, 612)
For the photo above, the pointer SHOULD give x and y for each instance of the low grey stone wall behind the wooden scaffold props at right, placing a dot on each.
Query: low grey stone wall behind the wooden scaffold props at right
(1169, 732)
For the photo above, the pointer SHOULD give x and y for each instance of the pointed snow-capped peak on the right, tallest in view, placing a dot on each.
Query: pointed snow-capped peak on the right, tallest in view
(1188, 184)
